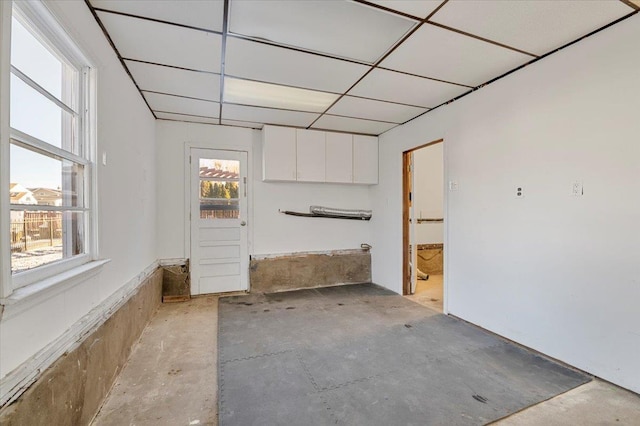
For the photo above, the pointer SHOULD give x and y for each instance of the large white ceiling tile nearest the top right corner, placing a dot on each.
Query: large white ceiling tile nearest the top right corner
(536, 27)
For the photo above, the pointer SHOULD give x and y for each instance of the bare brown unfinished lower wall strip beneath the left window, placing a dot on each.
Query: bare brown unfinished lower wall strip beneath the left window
(71, 391)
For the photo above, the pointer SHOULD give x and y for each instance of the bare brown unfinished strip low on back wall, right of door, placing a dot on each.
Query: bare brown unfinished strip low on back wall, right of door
(270, 274)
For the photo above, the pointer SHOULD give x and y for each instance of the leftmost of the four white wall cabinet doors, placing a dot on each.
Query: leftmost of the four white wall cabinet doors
(278, 153)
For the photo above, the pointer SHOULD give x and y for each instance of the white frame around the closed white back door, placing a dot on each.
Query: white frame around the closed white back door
(239, 147)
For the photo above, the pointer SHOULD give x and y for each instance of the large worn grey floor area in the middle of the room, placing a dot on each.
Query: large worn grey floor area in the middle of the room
(362, 355)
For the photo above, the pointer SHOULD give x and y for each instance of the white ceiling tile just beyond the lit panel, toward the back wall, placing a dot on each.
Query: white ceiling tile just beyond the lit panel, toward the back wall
(267, 115)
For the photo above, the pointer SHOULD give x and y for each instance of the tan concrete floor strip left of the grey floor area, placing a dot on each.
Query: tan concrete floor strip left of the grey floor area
(170, 378)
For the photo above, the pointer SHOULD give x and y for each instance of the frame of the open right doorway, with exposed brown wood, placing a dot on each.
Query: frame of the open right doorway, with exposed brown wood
(406, 211)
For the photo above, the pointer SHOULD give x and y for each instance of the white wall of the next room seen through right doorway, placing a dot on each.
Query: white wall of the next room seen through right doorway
(428, 195)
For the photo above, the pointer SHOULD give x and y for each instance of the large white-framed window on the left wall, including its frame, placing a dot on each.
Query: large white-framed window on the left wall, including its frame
(50, 168)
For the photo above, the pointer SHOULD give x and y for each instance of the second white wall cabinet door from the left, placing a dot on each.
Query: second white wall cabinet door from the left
(310, 155)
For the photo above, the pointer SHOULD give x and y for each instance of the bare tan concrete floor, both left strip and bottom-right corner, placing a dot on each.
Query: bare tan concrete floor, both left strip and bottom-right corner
(171, 379)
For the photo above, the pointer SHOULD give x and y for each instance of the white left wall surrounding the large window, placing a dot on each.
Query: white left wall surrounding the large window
(126, 197)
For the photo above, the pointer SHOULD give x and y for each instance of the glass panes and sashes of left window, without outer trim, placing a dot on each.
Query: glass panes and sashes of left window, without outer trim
(47, 166)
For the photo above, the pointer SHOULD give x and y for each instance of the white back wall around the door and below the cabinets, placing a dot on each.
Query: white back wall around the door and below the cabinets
(270, 232)
